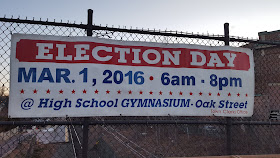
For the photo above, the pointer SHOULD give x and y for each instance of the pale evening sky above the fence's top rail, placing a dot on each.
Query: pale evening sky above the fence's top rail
(245, 17)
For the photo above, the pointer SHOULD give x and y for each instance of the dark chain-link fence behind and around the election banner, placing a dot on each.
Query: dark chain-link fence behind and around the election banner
(143, 136)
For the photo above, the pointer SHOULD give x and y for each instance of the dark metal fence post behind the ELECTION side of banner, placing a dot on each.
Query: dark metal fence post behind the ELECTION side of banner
(86, 119)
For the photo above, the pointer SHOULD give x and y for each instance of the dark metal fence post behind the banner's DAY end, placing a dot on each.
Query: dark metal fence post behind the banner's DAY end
(228, 119)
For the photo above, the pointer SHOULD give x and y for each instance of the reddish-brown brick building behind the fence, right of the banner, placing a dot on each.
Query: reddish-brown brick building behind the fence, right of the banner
(267, 75)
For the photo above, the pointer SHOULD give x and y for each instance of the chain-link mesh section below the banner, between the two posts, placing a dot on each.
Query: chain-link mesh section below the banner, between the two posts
(156, 140)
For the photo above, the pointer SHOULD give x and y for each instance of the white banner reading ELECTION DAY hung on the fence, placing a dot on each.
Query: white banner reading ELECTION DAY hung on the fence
(55, 76)
